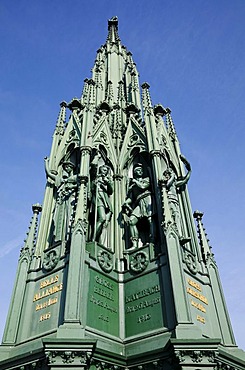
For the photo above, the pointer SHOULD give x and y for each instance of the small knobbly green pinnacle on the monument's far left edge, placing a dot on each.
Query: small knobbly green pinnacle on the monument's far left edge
(31, 234)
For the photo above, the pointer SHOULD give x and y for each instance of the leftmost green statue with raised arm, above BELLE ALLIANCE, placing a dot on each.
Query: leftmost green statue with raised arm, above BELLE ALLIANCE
(66, 186)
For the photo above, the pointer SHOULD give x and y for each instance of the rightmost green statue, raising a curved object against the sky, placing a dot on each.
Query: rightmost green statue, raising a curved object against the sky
(172, 184)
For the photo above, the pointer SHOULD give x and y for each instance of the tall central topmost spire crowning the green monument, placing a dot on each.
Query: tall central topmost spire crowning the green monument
(114, 64)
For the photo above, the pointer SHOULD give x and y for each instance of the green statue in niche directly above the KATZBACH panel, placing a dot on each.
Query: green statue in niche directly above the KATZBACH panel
(138, 204)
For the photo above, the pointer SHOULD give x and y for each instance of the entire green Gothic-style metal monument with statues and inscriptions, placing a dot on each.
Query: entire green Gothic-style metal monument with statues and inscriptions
(117, 274)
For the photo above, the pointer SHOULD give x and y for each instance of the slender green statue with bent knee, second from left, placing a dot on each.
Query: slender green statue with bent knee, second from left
(101, 189)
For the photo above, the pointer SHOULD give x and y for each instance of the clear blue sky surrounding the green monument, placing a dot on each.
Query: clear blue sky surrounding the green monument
(192, 53)
